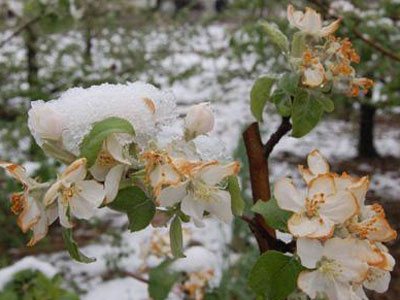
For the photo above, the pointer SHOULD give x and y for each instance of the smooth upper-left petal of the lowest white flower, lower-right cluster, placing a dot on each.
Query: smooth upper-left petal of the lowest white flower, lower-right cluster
(310, 252)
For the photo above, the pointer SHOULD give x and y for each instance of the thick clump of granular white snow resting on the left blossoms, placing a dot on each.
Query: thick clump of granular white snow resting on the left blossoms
(80, 108)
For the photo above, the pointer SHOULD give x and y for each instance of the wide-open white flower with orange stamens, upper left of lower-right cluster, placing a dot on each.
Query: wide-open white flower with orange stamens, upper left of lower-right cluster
(316, 212)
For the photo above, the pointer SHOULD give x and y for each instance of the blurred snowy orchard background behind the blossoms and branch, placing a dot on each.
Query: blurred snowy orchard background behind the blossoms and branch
(203, 51)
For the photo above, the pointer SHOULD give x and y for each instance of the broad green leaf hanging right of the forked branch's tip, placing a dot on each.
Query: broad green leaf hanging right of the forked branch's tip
(306, 113)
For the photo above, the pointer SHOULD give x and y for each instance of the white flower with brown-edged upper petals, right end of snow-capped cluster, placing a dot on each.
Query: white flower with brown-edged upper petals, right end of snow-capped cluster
(200, 192)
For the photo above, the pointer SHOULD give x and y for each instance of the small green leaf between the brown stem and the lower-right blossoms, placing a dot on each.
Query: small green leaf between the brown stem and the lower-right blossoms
(275, 217)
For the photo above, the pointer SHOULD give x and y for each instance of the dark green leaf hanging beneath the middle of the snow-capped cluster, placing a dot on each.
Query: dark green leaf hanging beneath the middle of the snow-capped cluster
(139, 208)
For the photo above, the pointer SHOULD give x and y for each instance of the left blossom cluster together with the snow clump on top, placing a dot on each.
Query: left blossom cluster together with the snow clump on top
(144, 152)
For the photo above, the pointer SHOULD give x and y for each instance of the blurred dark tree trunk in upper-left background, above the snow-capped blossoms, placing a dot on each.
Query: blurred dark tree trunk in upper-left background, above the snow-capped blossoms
(31, 57)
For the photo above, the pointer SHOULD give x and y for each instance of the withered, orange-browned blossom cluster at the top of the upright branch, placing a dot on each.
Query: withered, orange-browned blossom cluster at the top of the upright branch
(325, 60)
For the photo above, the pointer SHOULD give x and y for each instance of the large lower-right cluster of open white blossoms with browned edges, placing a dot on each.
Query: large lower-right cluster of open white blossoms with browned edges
(339, 237)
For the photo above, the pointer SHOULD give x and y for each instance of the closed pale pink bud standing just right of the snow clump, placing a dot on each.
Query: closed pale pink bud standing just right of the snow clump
(199, 120)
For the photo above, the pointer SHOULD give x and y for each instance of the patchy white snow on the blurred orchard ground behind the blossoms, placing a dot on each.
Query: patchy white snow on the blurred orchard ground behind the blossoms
(336, 140)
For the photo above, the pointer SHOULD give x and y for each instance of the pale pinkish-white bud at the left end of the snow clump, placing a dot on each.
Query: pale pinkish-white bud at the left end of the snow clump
(45, 123)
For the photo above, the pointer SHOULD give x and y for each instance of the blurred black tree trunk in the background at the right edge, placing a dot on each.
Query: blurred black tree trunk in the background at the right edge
(366, 147)
